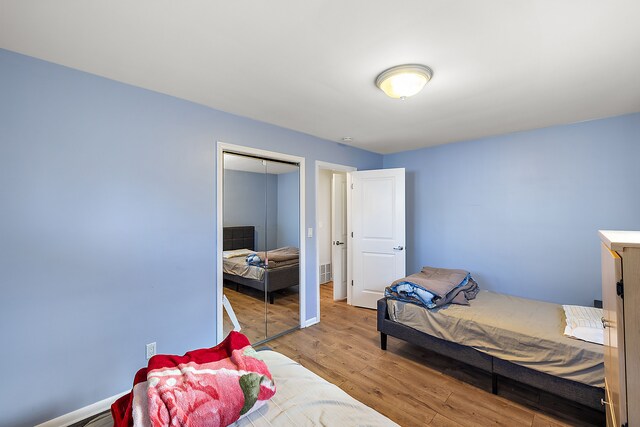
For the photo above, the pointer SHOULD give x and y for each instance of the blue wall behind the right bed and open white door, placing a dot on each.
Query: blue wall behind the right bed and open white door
(521, 211)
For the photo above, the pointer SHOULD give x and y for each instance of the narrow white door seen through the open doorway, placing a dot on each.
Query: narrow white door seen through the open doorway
(339, 235)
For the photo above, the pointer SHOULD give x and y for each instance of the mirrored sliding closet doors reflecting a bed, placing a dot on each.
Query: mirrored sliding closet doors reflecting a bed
(260, 246)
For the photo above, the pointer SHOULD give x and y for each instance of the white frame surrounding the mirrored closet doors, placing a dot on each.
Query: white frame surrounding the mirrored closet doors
(220, 149)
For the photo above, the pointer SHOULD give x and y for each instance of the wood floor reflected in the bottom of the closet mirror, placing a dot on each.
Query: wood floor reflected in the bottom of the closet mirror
(258, 320)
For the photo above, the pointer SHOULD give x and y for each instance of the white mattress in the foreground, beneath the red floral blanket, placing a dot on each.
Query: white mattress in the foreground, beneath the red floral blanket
(302, 399)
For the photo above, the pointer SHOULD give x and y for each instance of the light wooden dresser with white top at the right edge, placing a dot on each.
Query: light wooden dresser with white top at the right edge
(621, 303)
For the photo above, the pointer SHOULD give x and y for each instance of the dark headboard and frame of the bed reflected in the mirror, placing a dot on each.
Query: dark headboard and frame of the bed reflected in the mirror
(274, 279)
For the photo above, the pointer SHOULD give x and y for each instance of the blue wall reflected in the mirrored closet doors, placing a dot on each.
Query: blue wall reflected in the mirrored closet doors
(244, 204)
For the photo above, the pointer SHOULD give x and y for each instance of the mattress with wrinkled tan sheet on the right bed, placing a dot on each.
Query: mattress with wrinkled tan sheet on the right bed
(522, 331)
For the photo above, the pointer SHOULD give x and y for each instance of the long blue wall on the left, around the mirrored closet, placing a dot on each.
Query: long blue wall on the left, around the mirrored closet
(108, 229)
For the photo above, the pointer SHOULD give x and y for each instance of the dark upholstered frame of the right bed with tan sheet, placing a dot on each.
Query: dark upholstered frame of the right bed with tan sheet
(571, 390)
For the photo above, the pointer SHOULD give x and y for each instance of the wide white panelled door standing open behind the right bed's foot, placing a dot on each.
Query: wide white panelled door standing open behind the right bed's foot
(378, 226)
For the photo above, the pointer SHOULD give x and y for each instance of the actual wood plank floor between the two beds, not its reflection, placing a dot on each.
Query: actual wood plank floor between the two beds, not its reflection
(411, 385)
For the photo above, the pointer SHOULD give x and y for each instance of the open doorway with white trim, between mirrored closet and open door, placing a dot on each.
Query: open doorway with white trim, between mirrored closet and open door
(331, 220)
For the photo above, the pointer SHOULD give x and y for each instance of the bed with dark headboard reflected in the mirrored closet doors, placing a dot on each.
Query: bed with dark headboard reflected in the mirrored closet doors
(236, 271)
